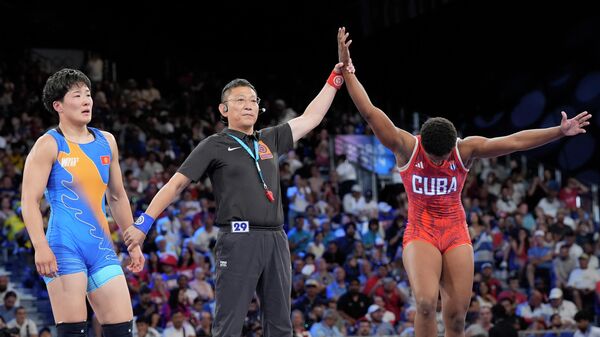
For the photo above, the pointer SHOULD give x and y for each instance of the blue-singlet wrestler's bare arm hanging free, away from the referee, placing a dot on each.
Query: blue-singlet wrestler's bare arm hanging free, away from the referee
(35, 178)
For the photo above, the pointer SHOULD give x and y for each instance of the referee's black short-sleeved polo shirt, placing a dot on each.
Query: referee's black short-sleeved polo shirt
(238, 190)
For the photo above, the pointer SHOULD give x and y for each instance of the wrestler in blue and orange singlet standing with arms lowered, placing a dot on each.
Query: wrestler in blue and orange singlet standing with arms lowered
(77, 168)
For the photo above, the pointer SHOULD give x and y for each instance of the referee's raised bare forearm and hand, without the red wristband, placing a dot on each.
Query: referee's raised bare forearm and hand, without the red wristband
(315, 111)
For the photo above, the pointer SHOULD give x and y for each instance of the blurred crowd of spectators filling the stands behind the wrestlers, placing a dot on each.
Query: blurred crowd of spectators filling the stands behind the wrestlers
(535, 243)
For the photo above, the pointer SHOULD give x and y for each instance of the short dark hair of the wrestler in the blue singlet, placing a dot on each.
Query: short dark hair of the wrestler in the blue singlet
(60, 83)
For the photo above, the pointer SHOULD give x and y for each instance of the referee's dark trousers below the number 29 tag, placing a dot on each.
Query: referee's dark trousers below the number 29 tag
(247, 262)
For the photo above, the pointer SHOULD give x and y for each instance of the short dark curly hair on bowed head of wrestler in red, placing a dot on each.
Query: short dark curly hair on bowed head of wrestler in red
(438, 136)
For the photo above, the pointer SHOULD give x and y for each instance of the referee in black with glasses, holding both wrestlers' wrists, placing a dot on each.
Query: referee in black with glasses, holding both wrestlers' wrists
(252, 253)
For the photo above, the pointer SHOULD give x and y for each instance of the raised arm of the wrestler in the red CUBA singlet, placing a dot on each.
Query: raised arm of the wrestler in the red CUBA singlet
(395, 139)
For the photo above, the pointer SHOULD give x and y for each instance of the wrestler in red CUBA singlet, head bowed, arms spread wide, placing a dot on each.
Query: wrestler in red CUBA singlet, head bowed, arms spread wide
(437, 254)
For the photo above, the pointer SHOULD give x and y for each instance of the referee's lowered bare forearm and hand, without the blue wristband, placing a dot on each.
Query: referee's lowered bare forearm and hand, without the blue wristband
(161, 200)
